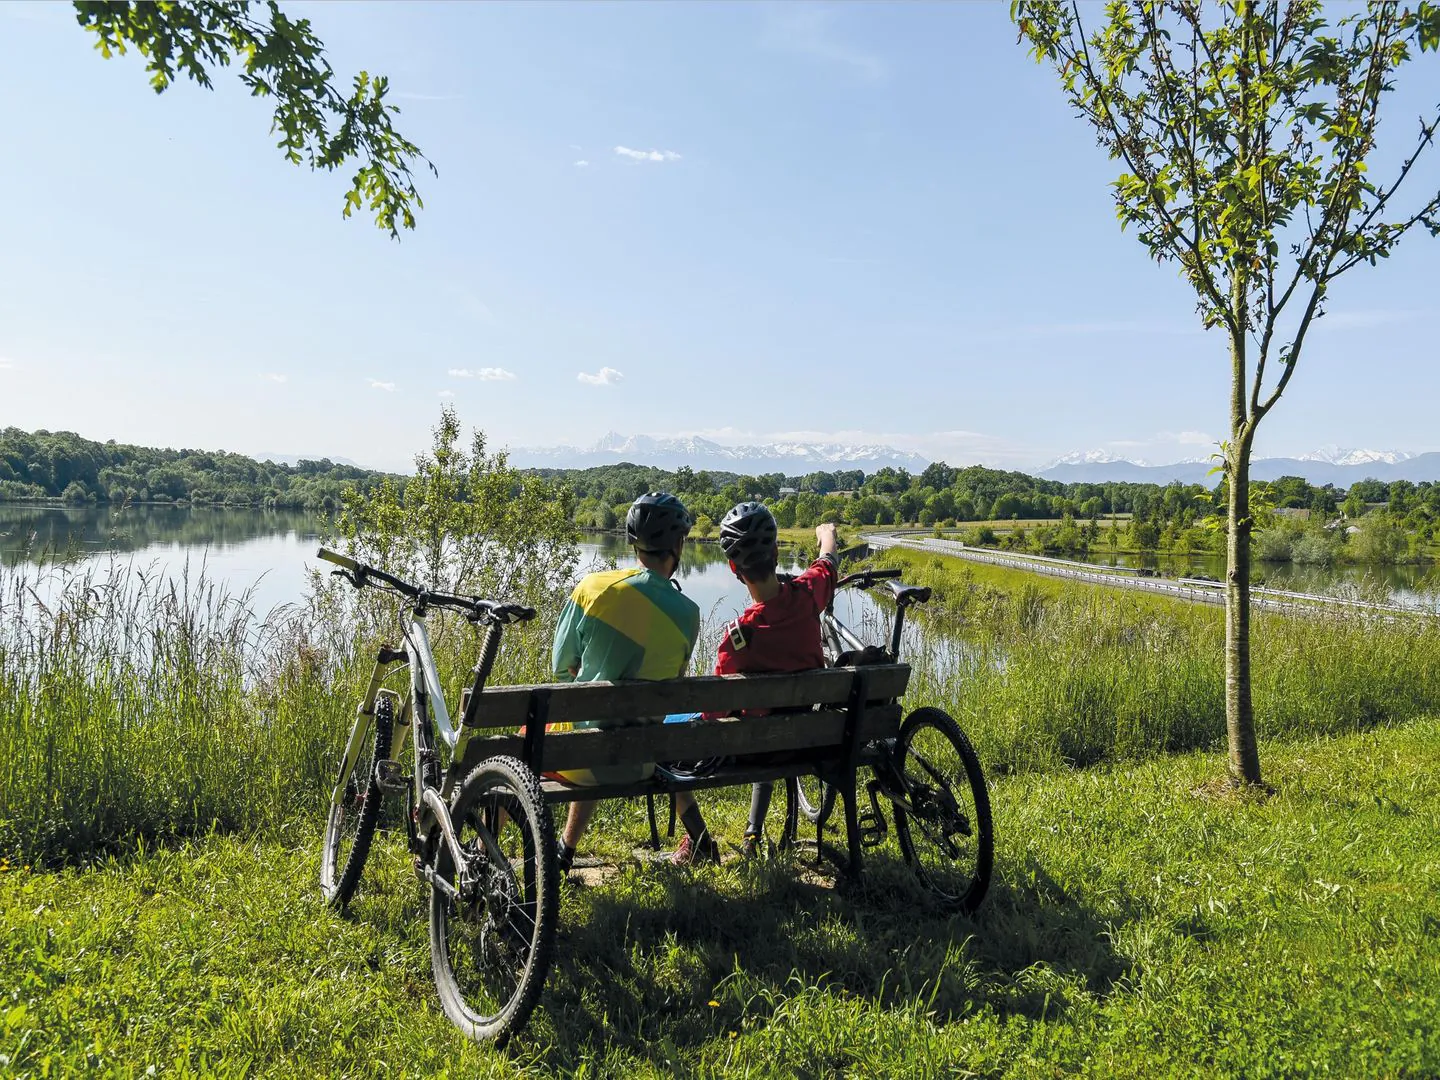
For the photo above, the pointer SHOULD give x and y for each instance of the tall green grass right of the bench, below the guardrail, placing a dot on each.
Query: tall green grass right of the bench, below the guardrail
(1045, 676)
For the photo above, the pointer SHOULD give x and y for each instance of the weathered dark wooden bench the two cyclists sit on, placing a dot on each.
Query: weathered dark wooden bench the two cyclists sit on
(820, 724)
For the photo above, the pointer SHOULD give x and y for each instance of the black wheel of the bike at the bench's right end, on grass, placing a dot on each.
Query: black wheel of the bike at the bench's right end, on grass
(955, 853)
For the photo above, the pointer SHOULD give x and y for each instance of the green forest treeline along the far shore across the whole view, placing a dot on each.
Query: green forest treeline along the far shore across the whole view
(1402, 516)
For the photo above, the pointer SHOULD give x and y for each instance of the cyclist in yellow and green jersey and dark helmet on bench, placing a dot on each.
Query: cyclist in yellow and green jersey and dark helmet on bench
(633, 624)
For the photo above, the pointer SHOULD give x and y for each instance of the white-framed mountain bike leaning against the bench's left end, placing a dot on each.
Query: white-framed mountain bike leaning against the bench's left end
(483, 842)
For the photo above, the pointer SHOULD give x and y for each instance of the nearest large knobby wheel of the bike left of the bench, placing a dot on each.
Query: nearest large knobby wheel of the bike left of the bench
(515, 918)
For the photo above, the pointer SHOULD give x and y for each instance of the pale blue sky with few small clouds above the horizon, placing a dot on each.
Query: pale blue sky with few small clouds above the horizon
(856, 222)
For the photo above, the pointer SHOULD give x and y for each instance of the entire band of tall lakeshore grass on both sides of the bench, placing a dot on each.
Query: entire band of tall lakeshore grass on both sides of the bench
(142, 708)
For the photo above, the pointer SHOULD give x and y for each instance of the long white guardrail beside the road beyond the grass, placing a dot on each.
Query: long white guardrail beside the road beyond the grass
(1193, 590)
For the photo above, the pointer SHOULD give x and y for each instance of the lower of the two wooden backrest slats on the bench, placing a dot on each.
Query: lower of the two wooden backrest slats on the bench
(692, 741)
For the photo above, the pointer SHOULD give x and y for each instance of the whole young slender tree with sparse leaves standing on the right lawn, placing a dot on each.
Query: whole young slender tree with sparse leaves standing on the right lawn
(1243, 130)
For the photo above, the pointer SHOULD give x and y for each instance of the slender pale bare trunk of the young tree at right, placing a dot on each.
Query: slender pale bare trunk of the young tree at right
(1241, 721)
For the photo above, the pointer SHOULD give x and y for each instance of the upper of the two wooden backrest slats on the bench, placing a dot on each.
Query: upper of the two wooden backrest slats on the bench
(580, 702)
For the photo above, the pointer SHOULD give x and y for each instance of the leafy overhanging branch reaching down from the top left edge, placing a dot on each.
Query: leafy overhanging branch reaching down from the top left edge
(319, 123)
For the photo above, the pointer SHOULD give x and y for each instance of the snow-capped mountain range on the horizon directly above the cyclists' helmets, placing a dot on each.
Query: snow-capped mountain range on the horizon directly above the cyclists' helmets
(791, 459)
